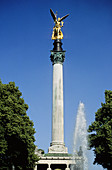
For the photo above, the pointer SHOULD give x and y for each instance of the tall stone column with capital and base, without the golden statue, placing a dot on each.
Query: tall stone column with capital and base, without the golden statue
(57, 58)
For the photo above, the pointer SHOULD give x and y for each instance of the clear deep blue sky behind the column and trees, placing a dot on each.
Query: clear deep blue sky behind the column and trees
(25, 44)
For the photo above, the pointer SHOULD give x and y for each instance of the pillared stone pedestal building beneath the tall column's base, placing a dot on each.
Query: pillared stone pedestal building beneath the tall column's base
(58, 161)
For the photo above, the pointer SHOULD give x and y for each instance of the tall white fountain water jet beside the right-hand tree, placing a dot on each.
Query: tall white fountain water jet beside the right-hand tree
(80, 139)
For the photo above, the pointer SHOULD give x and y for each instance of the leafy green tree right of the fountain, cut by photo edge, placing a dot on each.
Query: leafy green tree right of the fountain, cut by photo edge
(100, 138)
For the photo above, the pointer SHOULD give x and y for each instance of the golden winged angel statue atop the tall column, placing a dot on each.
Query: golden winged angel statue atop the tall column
(57, 33)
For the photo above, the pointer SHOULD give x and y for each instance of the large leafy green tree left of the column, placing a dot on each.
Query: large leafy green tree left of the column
(16, 130)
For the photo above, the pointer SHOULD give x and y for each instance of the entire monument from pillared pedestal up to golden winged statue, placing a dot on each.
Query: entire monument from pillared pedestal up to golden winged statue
(57, 156)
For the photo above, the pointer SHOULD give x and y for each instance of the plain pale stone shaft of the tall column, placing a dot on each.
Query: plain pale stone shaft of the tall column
(57, 113)
